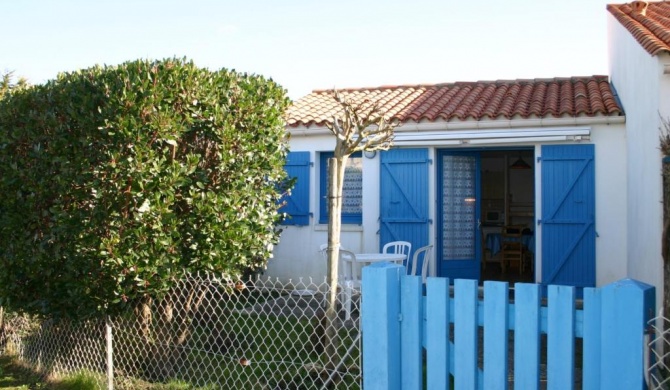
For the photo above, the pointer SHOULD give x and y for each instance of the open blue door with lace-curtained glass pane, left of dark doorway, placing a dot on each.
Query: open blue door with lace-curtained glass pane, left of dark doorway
(458, 246)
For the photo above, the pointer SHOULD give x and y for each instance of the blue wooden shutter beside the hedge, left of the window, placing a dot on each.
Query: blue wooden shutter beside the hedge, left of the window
(297, 204)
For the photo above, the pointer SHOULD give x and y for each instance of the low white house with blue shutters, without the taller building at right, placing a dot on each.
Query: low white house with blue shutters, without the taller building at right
(450, 170)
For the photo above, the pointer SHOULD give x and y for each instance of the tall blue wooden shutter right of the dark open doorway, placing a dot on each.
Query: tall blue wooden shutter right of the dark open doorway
(568, 215)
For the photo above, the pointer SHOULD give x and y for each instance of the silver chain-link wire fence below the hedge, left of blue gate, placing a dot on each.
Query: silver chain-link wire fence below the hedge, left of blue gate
(207, 333)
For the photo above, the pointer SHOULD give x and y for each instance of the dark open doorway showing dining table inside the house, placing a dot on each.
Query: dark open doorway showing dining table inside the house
(507, 199)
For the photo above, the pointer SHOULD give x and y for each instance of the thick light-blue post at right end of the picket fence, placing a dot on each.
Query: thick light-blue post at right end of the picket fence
(626, 306)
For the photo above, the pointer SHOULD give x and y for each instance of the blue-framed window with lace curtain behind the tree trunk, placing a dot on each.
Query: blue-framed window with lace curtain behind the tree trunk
(352, 190)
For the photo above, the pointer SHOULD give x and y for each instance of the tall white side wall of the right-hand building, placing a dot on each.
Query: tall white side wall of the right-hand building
(643, 90)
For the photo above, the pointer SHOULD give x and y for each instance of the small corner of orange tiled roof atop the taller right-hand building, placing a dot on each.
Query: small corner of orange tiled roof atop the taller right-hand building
(648, 22)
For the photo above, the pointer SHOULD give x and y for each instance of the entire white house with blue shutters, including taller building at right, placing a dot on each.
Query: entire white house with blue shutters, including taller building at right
(588, 191)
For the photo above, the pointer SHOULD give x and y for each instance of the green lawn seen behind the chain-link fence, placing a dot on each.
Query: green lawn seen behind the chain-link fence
(248, 340)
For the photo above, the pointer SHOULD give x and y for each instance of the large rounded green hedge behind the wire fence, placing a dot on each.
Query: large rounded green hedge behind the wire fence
(116, 181)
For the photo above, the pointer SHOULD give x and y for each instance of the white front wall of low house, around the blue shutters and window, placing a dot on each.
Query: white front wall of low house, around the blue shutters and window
(297, 253)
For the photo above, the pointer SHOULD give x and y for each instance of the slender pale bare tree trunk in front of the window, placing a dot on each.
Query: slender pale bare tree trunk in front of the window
(336, 168)
